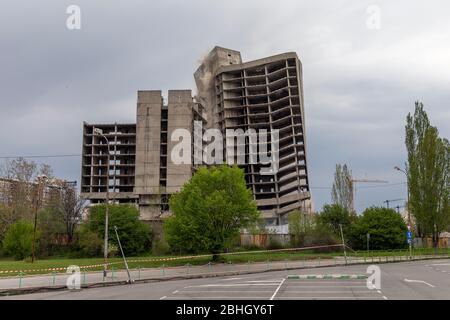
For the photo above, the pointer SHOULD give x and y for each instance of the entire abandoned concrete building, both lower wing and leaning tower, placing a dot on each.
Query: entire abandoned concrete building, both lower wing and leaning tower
(265, 94)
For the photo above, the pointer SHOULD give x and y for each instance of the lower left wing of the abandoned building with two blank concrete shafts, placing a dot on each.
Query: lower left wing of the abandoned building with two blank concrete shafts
(141, 169)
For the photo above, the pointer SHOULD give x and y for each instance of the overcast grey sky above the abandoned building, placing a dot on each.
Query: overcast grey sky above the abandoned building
(359, 82)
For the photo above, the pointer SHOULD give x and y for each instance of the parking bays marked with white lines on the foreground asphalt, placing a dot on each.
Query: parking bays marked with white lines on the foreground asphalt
(302, 287)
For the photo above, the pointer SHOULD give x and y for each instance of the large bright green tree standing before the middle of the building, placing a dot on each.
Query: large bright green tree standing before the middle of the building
(210, 210)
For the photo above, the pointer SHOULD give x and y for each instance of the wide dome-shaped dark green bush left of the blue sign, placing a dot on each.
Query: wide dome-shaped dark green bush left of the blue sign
(386, 228)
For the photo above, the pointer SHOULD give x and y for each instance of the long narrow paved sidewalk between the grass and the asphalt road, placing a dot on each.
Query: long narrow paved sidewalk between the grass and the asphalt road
(58, 280)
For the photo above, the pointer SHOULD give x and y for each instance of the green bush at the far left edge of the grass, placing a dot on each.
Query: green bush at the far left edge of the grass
(18, 241)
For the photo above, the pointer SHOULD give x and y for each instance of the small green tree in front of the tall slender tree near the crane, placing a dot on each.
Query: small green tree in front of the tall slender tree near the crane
(335, 215)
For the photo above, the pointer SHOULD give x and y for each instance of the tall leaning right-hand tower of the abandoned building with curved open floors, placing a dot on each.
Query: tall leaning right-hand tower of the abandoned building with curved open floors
(261, 94)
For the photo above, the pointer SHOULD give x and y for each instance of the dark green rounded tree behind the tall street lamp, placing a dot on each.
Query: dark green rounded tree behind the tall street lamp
(135, 235)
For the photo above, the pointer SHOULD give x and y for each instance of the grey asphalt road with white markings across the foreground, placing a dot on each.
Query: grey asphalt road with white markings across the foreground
(428, 279)
